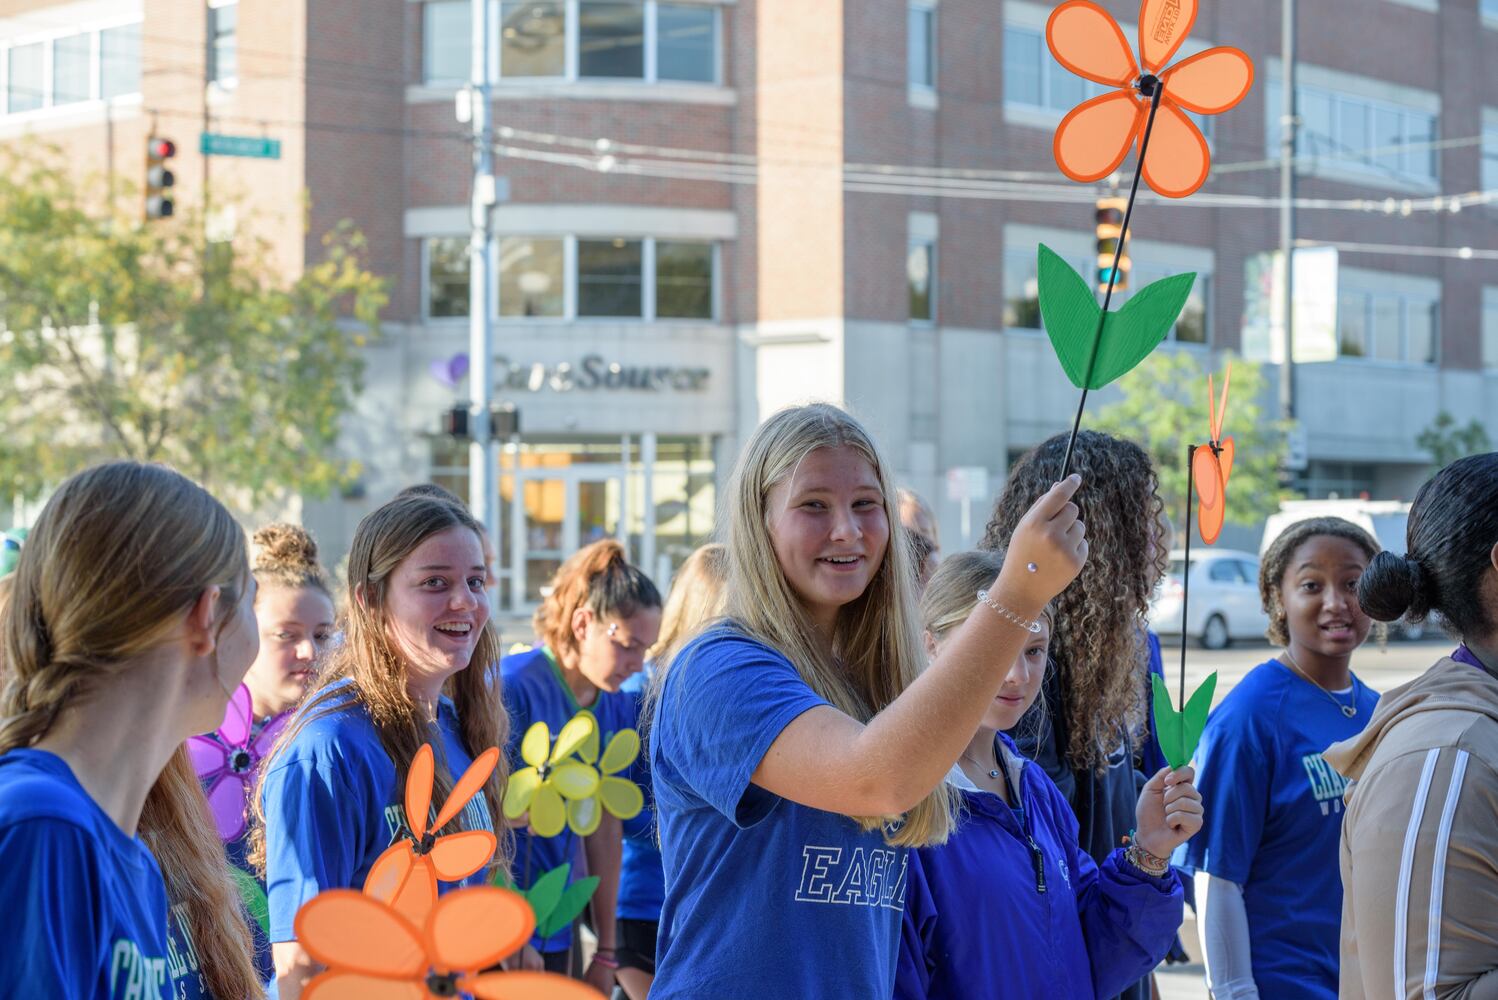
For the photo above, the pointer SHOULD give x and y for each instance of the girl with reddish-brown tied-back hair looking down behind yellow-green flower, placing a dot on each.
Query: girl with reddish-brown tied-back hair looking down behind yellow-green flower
(595, 626)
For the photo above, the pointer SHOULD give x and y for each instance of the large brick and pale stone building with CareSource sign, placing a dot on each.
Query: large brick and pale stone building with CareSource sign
(717, 207)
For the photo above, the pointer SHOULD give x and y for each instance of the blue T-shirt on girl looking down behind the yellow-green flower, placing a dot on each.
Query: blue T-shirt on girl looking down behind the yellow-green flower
(536, 692)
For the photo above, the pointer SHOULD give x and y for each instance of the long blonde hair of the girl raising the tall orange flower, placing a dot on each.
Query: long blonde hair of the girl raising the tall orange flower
(876, 647)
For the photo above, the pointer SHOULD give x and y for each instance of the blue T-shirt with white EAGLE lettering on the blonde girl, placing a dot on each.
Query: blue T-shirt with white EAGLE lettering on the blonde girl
(759, 890)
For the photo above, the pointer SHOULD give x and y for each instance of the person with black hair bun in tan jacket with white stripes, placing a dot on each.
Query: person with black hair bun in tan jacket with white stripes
(1421, 838)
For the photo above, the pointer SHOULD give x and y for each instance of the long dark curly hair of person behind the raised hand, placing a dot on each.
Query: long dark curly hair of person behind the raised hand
(1099, 635)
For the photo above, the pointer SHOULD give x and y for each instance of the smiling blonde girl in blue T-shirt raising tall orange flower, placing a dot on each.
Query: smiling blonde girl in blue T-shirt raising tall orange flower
(798, 749)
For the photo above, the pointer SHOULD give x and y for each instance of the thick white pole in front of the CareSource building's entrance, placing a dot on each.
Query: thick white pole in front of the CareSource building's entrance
(483, 462)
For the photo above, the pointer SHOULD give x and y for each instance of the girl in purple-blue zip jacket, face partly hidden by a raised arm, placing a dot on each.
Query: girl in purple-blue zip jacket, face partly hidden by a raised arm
(1012, 906)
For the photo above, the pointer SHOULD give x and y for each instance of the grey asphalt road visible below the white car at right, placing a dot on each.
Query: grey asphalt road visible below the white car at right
(1380, 667)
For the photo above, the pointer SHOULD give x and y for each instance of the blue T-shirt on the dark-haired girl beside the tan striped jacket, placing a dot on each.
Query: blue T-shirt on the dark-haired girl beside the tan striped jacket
(1274, 821)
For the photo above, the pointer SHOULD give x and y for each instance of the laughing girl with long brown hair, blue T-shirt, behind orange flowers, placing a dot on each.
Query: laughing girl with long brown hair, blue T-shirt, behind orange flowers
(410, 673)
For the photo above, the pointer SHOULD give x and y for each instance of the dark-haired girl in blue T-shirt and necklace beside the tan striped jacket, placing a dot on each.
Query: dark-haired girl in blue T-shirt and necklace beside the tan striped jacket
(1270, 896)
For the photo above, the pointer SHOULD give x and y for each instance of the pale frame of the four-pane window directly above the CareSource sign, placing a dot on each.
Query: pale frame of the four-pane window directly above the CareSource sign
(570, 282)
